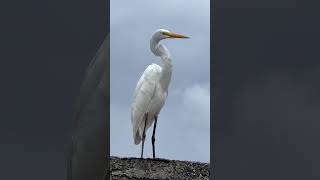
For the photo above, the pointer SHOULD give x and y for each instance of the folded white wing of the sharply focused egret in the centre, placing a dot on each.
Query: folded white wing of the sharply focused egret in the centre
(141, 98)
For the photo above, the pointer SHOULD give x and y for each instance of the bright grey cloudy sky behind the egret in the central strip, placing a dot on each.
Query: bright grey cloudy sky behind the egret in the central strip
(183, 128)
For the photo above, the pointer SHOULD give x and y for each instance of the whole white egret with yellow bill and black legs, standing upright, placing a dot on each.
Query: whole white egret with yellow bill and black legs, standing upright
(152, 89)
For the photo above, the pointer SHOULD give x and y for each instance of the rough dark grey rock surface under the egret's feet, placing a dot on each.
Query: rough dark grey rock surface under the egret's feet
(157, 169)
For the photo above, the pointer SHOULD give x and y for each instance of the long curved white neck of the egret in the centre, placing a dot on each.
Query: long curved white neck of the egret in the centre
(160, 50)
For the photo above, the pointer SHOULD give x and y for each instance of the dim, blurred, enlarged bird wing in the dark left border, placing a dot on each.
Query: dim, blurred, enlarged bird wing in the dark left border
(87, 156)
